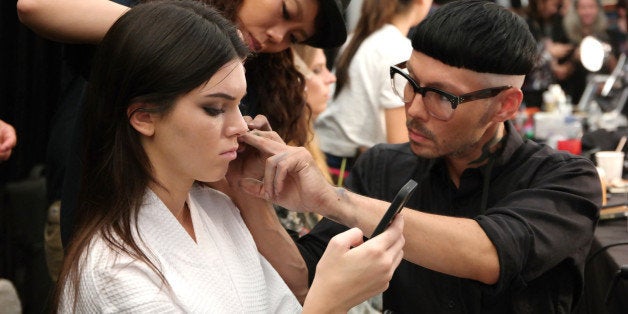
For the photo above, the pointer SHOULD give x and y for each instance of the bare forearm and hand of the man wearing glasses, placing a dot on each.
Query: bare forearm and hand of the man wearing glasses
(455, 246)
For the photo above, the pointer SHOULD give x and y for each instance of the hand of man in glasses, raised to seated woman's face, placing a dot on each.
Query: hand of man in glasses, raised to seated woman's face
(291, 177)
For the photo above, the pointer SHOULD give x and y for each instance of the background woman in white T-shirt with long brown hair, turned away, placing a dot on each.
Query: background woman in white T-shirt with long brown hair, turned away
(364, 110)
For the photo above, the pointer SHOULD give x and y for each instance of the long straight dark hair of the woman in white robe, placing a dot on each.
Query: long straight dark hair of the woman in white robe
(153, 54)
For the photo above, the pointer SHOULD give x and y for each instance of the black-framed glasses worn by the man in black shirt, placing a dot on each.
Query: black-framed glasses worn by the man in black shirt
(440, 104)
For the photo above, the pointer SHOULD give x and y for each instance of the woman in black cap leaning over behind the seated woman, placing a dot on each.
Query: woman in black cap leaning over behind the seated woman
(268, 28)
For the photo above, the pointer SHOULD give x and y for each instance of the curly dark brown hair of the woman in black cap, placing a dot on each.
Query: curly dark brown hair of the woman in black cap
(277, 84)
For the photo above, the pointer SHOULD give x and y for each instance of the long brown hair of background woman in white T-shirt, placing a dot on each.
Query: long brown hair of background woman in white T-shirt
(374, 15)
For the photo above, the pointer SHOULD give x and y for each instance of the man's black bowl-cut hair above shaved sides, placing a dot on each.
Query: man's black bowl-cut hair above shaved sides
(477, 35)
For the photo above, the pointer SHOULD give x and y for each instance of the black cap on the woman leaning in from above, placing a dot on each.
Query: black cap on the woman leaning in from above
(331, 29)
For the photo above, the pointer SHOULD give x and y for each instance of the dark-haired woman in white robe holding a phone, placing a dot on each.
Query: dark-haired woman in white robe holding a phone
(163, 116)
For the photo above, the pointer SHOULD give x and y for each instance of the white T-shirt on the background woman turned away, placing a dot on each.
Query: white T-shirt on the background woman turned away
(356, 117)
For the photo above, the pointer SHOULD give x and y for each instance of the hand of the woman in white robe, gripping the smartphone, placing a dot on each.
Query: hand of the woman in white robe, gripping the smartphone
(347, 276)
